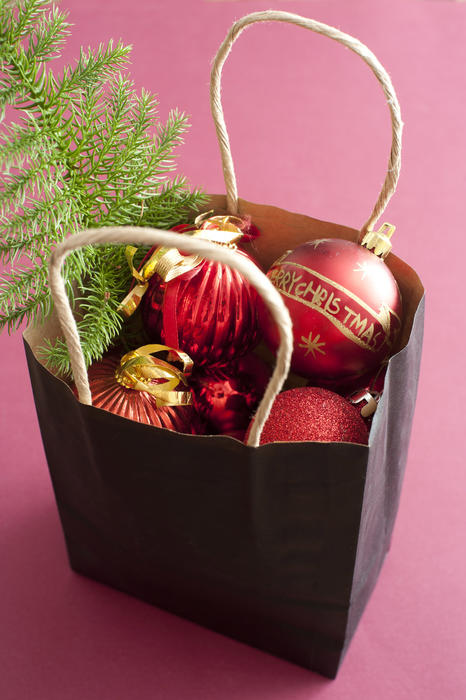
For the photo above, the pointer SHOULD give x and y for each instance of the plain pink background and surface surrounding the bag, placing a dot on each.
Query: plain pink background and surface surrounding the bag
(310, 132)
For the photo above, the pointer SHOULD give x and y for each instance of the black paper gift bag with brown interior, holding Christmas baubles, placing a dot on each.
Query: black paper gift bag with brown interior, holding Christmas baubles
(279, 546)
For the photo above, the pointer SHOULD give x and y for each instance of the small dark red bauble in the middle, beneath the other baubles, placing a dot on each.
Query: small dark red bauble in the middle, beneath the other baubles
(227, 396)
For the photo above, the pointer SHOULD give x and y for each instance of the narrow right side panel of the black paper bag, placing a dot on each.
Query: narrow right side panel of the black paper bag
(389, 443)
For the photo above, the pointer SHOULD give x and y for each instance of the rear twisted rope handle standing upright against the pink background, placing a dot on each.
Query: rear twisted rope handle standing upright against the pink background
(394, 163)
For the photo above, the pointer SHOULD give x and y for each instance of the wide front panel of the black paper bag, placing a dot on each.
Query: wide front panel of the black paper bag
(256, 543)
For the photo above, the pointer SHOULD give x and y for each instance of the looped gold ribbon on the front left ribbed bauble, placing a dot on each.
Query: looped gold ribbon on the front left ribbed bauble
(141, 371)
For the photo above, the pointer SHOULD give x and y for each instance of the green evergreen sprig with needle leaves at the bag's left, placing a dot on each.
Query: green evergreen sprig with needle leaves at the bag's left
(85, 151)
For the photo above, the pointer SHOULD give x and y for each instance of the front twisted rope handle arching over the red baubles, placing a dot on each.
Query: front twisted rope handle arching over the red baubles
(211, 251)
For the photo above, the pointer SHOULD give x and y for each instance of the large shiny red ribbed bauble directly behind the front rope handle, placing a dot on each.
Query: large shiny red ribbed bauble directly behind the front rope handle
(209, 312)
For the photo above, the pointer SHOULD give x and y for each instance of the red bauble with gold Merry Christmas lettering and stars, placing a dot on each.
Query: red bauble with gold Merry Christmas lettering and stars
(345, 306)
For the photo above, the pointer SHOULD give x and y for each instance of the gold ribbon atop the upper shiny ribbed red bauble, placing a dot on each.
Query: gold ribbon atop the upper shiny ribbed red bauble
(168, 263)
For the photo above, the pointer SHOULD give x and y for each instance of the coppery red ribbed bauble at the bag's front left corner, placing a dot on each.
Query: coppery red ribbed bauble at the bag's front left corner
(109, 395)
